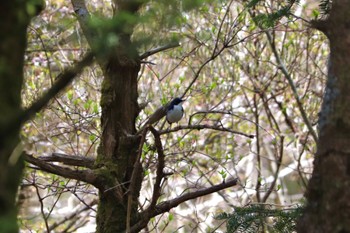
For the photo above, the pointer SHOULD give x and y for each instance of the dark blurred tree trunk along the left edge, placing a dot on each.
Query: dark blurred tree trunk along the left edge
(14, 19)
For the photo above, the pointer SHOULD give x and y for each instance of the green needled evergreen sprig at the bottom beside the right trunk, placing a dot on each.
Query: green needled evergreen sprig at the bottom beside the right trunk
(256, 217)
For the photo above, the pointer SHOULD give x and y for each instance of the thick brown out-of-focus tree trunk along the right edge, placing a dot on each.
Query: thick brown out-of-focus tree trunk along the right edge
(328, 194)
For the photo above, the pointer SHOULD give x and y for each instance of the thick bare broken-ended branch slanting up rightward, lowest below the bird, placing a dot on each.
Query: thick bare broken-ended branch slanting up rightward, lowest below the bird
(168, 205)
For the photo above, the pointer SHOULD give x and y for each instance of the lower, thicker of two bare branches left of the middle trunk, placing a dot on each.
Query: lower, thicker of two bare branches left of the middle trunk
(86, 175)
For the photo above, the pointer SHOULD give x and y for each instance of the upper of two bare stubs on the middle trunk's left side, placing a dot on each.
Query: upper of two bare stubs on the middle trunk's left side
(73, 160)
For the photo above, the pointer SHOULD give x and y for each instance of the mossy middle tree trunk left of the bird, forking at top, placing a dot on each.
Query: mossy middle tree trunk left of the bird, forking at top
(119, 144)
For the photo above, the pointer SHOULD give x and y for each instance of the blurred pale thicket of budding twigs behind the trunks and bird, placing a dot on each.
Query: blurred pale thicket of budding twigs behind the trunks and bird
(253, 92)
